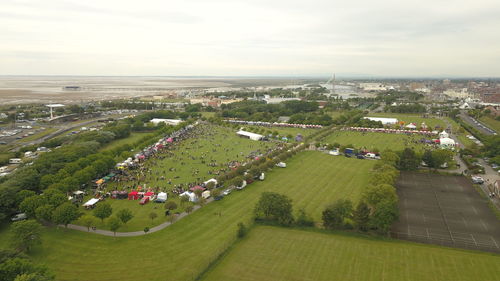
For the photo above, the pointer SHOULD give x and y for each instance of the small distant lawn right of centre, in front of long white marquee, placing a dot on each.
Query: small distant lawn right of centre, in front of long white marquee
(381, 141)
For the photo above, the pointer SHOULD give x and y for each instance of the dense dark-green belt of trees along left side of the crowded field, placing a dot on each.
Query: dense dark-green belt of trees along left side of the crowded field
(72, 165)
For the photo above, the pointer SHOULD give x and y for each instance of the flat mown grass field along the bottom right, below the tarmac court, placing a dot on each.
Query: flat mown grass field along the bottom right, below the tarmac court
(271, 253)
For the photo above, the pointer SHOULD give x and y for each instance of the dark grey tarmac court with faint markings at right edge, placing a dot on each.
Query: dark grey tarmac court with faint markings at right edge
(445, 210)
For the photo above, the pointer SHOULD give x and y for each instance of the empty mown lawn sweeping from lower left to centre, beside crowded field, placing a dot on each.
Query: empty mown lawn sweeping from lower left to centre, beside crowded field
(183, 250)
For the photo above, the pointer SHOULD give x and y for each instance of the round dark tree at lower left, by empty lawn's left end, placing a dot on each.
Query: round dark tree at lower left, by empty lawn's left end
(26, 234)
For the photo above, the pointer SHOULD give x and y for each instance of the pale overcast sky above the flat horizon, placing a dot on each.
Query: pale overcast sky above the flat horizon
(250, 38)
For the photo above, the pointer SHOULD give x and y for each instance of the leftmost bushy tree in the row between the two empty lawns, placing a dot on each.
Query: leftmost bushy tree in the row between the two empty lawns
(274, 207)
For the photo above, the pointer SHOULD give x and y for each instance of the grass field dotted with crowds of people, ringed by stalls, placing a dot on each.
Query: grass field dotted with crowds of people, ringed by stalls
(195, 156)
